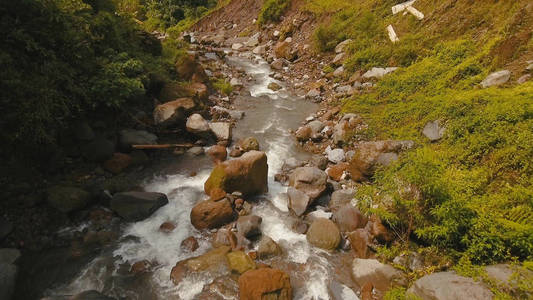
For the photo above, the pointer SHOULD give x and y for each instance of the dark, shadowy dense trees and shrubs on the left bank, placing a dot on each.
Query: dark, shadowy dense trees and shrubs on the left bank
(63, 59)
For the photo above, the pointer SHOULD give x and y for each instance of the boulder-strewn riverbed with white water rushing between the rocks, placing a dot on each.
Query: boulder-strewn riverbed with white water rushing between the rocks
(260, 205)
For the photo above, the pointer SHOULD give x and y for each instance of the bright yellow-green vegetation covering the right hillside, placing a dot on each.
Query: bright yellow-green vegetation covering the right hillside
(470, 194)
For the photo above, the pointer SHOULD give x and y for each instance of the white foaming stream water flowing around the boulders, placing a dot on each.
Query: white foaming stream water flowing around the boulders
(268, 116)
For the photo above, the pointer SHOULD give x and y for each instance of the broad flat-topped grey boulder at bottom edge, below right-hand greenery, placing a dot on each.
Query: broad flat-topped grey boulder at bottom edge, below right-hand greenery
(449, 286)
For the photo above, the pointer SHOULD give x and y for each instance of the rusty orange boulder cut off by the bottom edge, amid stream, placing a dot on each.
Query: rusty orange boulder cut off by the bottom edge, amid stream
(265, 283)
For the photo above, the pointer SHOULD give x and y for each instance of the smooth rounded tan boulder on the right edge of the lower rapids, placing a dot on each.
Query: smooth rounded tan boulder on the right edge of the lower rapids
(323, 233)
